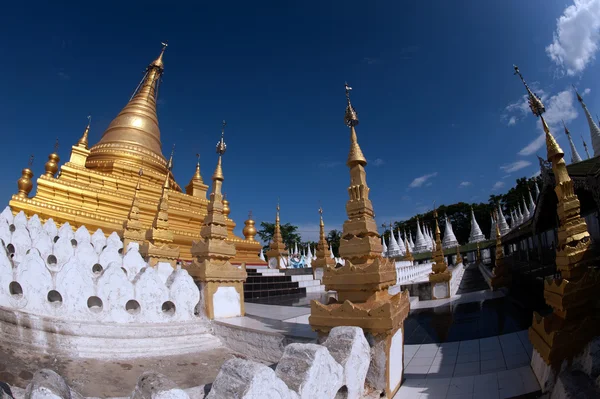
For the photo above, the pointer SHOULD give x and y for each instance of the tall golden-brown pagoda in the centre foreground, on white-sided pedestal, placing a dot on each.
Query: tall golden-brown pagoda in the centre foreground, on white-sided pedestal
(362, 283)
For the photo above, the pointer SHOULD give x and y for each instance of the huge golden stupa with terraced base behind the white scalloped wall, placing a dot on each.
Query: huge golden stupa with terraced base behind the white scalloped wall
(97, 186)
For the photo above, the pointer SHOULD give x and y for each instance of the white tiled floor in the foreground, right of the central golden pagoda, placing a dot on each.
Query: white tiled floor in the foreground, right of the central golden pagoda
(495, 367)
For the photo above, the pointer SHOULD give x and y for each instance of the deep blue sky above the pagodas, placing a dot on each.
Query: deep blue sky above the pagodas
(441, 114)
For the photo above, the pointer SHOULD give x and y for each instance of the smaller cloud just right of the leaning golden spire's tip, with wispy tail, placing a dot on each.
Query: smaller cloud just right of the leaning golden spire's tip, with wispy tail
(559, 107)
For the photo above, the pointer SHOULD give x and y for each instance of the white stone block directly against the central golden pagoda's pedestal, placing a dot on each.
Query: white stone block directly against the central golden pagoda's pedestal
(349, 347)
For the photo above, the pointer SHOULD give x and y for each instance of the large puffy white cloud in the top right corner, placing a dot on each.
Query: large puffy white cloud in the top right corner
(577, 37)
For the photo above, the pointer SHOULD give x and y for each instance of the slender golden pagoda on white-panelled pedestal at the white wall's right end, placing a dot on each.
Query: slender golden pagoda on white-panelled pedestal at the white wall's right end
(216, 277)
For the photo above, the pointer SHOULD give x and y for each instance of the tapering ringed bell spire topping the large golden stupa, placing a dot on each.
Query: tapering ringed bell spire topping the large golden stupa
(134, 136)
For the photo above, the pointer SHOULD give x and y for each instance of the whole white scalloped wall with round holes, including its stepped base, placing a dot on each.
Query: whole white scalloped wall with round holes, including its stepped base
(76, 293)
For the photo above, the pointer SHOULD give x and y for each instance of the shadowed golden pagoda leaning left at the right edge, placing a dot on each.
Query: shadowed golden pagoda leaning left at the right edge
(573, 323)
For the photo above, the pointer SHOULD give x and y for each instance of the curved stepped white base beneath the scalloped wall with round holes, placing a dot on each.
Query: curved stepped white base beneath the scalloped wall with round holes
(104, 340)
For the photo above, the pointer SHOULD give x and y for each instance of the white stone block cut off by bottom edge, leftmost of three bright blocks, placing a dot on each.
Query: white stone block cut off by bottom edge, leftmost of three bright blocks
(244, 379)
